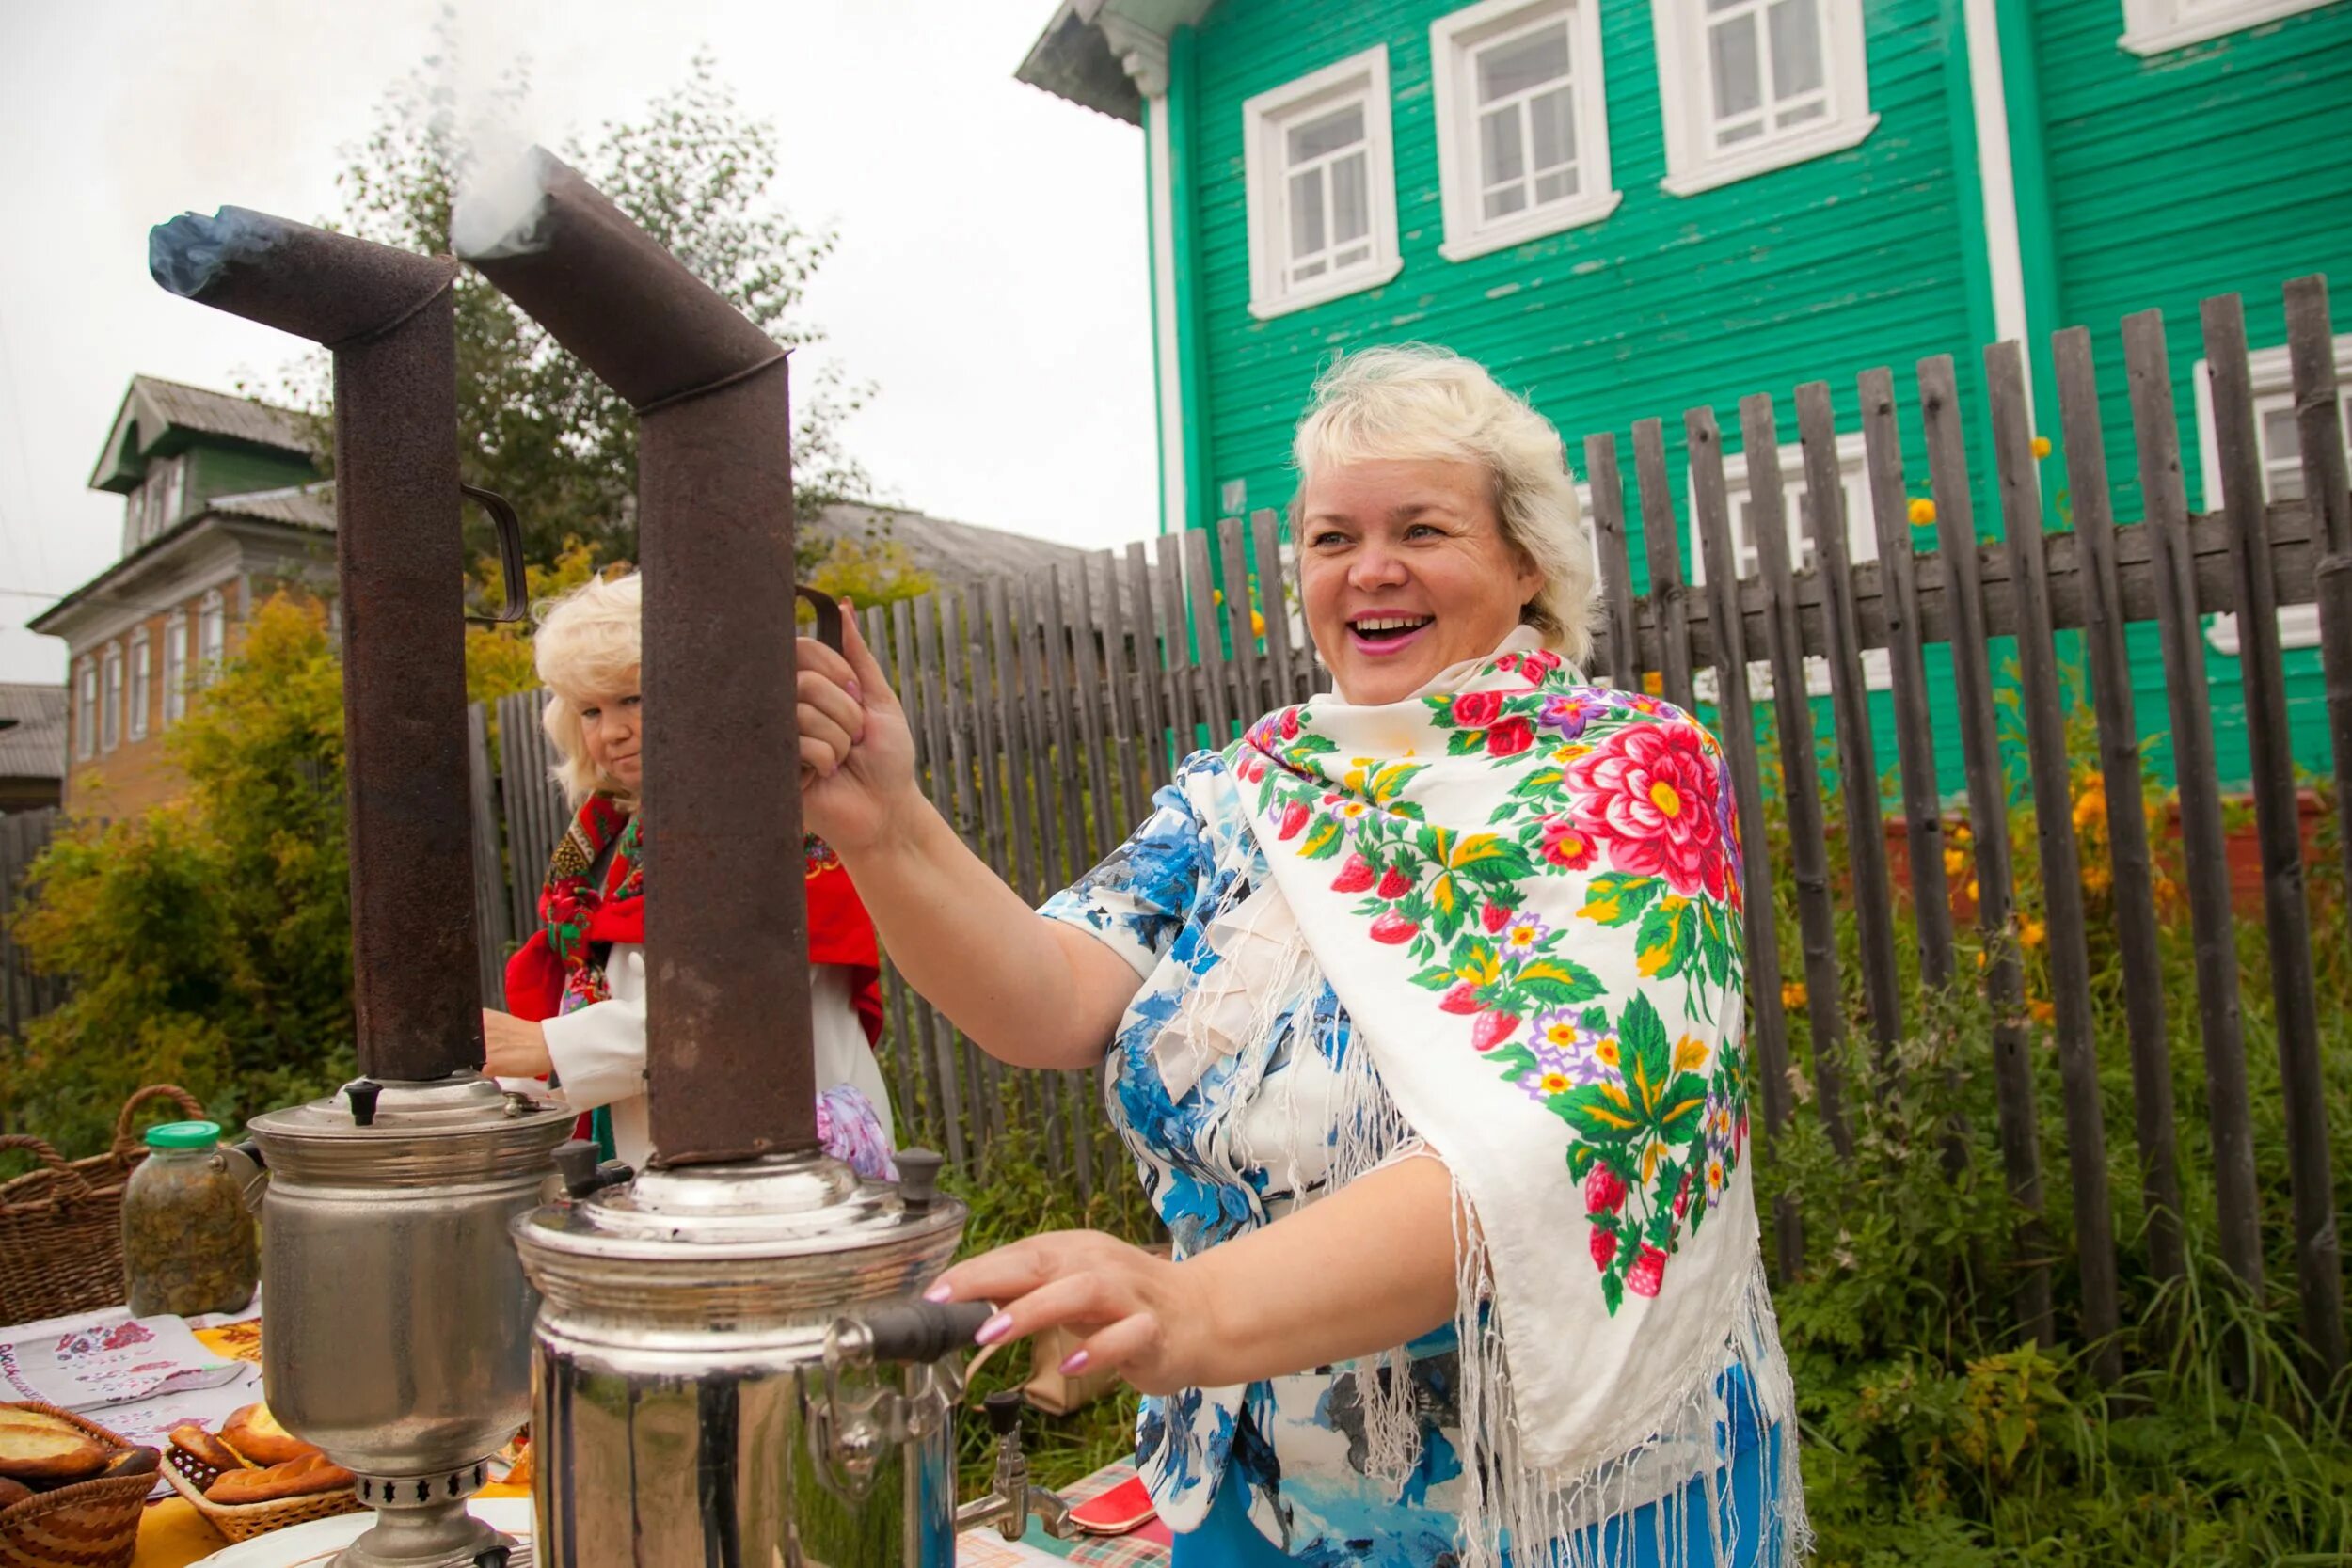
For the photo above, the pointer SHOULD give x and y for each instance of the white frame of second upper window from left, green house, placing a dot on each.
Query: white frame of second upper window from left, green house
(1455, 43)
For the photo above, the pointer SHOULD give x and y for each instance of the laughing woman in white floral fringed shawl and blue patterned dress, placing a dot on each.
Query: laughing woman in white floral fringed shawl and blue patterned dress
(1422, 1014)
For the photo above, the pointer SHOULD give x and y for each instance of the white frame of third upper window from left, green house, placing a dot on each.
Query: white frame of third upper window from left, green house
(1688, 98)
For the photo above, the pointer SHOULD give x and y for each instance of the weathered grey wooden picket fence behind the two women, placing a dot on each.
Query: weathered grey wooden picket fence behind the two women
(1050, 709)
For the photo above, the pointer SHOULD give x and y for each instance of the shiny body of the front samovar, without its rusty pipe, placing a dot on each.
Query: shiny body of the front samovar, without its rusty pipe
(728, 1369)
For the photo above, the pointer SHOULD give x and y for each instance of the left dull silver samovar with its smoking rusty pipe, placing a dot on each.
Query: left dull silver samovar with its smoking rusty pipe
(399, 1318)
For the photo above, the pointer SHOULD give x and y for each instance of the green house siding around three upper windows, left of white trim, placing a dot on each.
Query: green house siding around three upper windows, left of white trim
(1857, 257)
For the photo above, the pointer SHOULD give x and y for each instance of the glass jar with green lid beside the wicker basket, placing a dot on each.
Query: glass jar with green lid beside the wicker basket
(189, 1240)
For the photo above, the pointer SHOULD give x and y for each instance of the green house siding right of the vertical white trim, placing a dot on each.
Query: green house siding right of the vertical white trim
(2217, 168)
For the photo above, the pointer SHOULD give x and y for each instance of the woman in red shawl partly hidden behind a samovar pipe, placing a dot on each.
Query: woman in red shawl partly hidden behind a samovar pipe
(575, 993)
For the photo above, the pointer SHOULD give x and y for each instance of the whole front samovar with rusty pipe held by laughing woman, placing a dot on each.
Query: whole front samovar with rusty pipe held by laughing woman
(728, 1365)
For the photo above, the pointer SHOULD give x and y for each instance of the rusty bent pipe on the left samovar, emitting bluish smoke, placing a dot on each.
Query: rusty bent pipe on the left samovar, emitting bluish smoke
(387, 319)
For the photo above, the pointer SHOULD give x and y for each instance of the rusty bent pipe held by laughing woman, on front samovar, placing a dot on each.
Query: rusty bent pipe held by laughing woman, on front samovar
(733, 1068)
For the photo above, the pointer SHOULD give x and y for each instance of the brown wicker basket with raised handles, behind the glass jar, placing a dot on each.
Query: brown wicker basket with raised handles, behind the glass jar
(62, 1226)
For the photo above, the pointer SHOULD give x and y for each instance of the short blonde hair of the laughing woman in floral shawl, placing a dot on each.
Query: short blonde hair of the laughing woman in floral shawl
(1415, 401)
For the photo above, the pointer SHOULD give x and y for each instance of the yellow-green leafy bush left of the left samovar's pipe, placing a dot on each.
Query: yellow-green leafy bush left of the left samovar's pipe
(208, 942)
